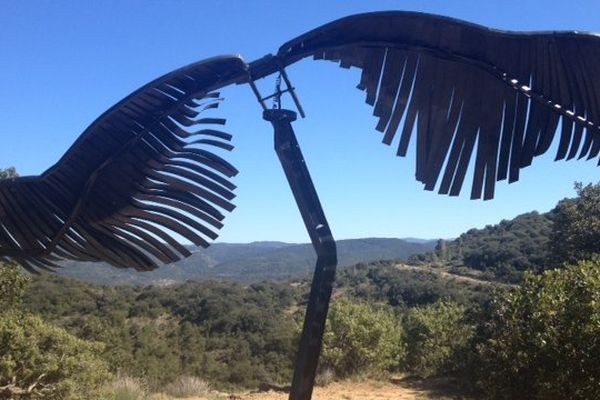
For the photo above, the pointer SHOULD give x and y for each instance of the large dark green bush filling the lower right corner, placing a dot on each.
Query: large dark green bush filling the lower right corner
(543, 339)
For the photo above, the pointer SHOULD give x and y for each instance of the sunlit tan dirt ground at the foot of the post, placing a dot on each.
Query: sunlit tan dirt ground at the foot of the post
(398, 389)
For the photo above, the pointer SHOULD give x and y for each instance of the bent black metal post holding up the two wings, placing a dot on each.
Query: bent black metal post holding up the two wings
(298, 177)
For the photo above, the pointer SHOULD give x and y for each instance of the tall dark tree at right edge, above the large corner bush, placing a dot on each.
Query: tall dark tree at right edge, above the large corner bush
(575, 234)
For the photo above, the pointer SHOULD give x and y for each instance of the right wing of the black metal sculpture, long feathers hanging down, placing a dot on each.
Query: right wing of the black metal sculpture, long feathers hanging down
(473, 93)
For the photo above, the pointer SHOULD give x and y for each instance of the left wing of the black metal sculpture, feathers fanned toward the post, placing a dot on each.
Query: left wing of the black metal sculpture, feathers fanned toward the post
(144, 172)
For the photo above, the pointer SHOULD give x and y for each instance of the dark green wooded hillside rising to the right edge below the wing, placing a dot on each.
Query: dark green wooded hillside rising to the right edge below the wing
(530, 242)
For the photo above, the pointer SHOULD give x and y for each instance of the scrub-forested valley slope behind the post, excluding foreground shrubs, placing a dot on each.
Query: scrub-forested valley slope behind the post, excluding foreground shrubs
(230, 334)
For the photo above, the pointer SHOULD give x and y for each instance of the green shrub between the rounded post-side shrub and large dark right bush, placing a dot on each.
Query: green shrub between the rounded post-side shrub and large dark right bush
(435, 335)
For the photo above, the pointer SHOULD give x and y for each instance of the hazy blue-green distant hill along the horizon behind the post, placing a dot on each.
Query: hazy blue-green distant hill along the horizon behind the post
(249, 262)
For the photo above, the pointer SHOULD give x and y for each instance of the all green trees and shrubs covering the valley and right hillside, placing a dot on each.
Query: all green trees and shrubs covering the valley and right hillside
(536, 340)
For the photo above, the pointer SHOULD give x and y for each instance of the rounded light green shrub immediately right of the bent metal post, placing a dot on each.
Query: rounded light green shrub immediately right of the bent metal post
(361, 338)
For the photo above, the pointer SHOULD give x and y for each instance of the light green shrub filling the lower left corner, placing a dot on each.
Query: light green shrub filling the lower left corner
(39, 361)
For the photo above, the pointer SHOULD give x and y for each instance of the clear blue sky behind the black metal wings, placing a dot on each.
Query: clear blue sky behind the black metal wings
(65, 62)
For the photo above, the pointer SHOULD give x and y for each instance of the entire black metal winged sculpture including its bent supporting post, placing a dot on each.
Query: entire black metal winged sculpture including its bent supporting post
(146, 169)
